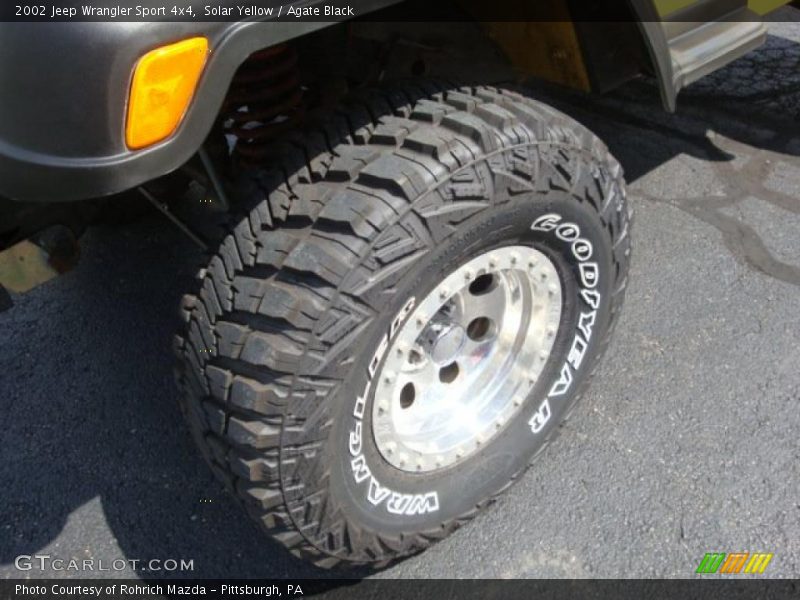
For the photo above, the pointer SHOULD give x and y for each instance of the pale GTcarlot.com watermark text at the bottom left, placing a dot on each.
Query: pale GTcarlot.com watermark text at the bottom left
(47, 562)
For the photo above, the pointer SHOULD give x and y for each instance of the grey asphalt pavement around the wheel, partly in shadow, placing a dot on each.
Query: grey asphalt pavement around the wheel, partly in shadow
(687, 442)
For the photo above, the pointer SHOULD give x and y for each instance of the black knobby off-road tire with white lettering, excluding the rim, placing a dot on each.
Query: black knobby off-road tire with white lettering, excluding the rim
(342, 224)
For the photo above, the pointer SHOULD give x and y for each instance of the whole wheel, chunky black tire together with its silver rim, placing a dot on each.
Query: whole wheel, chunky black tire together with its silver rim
(415, 300)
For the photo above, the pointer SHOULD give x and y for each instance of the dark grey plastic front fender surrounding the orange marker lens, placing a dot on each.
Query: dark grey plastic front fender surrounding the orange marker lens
(64, 99)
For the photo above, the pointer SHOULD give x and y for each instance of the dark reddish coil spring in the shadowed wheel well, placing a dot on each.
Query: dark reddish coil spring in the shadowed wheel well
(265, 99)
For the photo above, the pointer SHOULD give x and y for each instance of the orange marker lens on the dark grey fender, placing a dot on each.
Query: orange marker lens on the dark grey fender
(163, 85)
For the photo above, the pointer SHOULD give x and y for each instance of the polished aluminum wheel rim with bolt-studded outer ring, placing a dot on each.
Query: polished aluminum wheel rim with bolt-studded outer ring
(464, 362)
